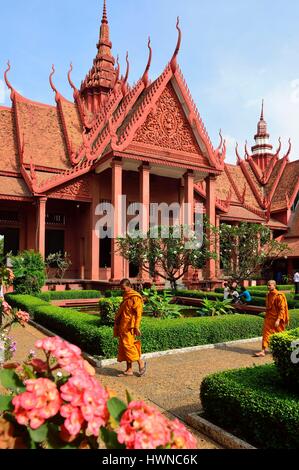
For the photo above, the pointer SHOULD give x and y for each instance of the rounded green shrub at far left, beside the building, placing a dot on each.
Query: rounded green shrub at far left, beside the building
(29, 271)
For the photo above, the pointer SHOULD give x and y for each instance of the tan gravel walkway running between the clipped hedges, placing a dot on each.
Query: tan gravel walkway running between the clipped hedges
(172, 382)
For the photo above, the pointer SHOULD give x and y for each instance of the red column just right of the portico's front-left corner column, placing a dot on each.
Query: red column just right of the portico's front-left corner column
(144, 180)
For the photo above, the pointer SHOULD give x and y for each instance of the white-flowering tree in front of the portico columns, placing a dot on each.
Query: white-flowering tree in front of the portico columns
(168, 255)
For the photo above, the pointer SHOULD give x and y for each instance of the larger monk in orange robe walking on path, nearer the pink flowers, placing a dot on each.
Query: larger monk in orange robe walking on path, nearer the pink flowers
(127, 327)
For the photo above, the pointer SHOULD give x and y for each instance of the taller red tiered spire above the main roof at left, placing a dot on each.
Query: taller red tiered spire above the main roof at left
(101, 78)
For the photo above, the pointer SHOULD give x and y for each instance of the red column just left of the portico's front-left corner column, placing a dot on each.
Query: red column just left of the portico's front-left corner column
(94, 252)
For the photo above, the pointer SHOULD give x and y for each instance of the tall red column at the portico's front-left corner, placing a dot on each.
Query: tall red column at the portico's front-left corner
(117, 261)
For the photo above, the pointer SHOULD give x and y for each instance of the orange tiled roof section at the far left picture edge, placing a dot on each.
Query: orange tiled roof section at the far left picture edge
(8, 146)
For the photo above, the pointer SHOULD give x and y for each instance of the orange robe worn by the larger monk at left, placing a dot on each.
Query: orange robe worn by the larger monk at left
(127, 318)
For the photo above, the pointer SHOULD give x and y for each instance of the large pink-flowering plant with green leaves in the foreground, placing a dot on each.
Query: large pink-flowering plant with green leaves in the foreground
(58, 403)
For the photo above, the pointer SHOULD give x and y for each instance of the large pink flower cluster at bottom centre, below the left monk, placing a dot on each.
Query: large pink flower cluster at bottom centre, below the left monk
(143, 427)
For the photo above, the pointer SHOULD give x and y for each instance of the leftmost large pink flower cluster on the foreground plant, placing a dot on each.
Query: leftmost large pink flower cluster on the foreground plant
(40, 402)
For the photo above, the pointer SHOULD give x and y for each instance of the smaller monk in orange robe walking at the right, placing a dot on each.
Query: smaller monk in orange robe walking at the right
(277, 315)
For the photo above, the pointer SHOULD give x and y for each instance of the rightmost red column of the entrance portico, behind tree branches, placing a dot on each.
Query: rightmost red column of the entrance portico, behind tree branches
(211, 215)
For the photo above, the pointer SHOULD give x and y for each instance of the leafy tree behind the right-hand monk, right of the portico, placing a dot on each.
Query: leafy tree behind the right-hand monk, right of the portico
(247, 249)
